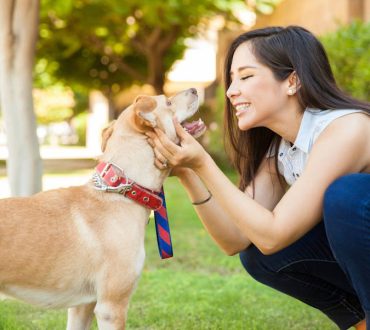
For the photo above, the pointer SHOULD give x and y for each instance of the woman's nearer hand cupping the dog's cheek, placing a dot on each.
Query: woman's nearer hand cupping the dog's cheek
(189, 153)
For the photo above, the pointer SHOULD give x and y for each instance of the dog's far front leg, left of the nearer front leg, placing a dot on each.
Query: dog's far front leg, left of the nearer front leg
(80, 317)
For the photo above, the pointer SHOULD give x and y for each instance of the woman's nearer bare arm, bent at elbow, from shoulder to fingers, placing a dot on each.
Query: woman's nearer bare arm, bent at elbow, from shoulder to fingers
(334, 154)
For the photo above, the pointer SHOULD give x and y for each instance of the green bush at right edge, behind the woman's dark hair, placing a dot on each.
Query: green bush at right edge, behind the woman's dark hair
(349, 53)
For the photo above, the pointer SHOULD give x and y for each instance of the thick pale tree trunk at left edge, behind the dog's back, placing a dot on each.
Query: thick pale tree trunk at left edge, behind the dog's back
(18, 35)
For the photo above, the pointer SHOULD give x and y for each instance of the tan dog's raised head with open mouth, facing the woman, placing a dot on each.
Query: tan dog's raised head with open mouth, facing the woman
(148, 112)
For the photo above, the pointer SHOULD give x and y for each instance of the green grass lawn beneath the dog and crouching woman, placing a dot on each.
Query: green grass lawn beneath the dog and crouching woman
(200, 288)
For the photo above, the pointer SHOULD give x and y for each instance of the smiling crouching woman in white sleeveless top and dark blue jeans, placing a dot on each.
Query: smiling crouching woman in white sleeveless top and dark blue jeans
(289, 126)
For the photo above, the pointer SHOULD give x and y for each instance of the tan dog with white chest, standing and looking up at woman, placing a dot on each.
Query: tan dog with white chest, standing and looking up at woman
(81, 247)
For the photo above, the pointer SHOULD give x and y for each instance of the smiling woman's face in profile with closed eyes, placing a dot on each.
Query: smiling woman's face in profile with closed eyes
(257, 97)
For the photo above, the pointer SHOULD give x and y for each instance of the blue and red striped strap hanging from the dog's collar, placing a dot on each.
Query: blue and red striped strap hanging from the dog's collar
(162, 228)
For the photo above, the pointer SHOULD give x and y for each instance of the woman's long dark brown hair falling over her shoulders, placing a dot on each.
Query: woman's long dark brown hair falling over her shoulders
(283, 50)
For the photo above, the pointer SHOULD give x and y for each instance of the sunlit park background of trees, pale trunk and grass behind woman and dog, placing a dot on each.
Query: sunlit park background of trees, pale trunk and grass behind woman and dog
(89, 60)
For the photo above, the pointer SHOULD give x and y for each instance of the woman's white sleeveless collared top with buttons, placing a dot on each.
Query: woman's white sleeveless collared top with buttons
(292, 159)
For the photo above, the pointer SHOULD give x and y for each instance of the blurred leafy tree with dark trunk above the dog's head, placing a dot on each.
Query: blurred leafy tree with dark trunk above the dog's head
(109, 46)
